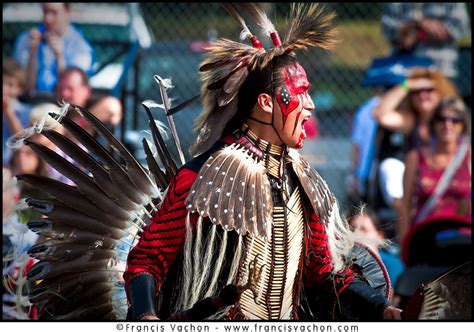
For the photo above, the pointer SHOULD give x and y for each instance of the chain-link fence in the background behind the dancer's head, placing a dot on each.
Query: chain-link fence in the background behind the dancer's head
(178, 31)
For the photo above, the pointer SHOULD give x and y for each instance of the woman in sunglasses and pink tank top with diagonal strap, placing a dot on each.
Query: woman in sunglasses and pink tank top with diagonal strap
(426, 166)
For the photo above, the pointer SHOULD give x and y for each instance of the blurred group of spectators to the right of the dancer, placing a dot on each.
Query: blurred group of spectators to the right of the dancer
(411, 150)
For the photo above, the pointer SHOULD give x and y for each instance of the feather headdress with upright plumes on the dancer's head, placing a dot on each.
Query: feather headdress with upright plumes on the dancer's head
(228, 63)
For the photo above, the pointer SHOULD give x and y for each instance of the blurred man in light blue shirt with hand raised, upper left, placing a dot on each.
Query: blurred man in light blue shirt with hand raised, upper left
(48, 49)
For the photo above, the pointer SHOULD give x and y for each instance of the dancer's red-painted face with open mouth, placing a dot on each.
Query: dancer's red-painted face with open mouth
(293, 107)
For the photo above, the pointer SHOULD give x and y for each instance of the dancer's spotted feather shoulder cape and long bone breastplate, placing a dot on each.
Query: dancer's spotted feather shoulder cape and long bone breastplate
(248, 187)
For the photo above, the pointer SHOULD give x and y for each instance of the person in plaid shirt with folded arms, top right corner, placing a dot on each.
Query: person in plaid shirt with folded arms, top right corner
(428, 30)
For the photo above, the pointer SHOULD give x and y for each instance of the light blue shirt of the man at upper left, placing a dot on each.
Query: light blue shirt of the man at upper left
(77, 53)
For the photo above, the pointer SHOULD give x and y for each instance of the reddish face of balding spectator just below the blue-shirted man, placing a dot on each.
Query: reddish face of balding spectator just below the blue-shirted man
(73, 90)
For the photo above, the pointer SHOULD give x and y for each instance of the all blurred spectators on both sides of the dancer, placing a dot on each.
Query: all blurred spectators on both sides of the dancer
(411, 141)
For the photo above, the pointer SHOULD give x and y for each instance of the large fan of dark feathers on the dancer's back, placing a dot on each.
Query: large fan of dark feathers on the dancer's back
(89, 227)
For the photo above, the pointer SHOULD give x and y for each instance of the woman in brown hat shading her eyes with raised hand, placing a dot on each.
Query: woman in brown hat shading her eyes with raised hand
(405, 111)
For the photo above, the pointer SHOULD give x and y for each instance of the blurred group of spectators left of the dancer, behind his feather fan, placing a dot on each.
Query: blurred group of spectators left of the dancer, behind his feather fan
(51, 64)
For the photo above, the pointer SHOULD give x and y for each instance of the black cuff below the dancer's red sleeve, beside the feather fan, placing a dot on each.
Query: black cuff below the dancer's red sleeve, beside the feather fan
(142, 292)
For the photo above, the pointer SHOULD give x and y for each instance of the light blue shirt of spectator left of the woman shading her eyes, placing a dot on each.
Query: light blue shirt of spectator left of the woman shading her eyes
(363, 134)
